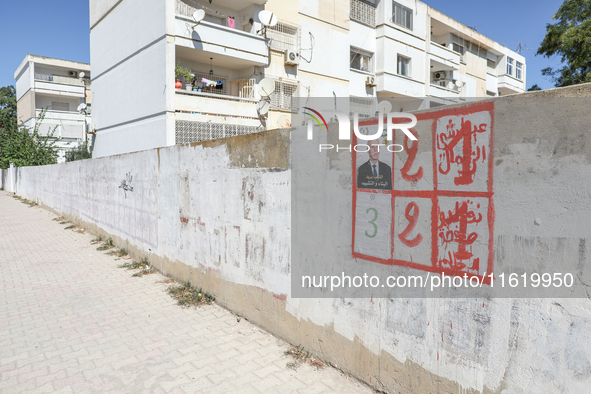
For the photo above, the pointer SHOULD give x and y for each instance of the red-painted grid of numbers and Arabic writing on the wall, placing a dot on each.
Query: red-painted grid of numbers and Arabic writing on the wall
(429, 207)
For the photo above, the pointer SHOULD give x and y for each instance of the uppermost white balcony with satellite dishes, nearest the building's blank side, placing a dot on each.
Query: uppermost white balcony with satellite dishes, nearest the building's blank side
(217, 37)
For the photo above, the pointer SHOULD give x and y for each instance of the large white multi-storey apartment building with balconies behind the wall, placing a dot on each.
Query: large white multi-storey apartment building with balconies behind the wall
(366, 50)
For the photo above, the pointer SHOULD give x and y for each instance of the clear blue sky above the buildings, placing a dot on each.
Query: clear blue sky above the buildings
(60, 29)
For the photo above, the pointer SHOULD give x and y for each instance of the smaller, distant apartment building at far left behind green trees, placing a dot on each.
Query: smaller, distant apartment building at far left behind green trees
(57, 87)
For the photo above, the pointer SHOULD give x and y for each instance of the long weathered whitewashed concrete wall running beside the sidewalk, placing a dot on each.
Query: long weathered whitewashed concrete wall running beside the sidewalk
(218, 214)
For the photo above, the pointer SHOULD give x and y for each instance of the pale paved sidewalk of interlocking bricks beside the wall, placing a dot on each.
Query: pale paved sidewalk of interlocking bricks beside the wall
(71, 321)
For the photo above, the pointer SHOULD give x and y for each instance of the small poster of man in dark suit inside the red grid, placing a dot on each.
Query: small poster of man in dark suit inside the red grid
(374, 174)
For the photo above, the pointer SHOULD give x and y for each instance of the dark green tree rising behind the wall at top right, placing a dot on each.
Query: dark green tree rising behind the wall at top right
(570, 38)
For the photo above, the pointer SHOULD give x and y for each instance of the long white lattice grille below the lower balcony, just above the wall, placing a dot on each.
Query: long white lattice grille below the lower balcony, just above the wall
(188, 131)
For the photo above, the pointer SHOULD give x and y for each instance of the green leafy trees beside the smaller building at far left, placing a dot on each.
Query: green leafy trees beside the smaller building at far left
(18, 144)
